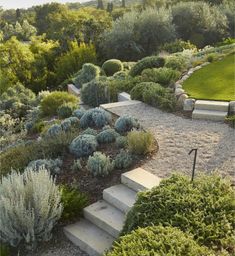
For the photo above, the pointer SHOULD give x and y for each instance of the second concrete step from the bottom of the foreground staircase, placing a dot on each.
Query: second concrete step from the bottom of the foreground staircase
(106, 217)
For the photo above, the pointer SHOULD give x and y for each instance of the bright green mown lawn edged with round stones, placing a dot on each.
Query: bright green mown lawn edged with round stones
(215, 81)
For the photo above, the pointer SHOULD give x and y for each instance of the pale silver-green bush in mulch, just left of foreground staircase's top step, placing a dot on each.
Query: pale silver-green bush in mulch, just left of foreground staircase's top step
(99, 164)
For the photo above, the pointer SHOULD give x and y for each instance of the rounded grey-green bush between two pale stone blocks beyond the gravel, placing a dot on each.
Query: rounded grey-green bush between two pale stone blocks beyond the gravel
(95, 92)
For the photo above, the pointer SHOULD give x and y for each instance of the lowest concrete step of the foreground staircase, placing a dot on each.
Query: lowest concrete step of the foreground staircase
(91, 239)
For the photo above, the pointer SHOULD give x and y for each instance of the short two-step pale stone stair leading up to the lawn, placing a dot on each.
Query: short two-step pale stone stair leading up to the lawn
(210, 110)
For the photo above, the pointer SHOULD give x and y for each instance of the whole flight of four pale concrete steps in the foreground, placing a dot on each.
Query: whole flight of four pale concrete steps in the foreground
(103, 220)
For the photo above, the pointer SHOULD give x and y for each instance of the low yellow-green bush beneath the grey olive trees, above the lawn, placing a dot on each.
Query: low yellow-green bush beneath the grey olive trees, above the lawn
(177, 46)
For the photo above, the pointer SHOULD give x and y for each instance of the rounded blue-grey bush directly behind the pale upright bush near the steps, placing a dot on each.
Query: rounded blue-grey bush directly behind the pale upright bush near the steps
(83, 145)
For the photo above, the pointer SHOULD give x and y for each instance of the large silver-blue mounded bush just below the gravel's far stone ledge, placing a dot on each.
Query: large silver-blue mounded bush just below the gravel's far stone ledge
(96, 117)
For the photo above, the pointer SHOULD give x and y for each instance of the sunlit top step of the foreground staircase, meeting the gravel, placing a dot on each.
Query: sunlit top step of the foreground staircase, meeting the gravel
(139, 179)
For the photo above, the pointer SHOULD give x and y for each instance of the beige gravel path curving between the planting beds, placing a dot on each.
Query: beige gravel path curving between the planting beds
(176, 136)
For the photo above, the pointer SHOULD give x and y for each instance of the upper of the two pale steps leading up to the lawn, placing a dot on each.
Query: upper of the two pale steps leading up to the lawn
(212, 105)
